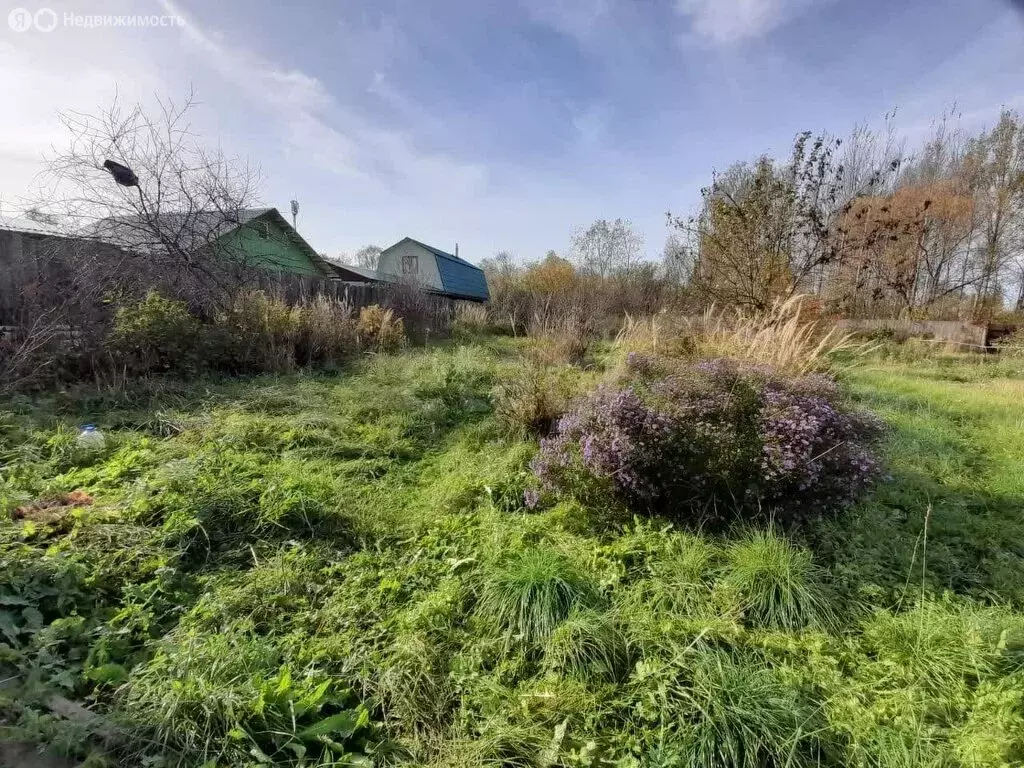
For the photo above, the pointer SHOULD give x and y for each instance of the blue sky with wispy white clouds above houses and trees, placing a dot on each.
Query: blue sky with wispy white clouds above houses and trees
(502, 125)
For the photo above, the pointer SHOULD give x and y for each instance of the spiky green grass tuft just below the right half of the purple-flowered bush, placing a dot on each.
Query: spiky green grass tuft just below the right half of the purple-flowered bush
(776, 583)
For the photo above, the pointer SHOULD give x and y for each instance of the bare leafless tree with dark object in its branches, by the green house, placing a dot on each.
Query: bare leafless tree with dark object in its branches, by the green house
(145, 184)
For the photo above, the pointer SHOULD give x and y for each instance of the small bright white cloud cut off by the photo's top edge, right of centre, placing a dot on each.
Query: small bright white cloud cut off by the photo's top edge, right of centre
(729, 22)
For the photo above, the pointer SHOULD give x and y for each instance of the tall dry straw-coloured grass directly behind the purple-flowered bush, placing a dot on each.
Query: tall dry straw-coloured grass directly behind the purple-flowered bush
(781, 337)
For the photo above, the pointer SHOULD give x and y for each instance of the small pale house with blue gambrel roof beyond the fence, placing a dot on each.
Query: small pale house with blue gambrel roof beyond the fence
(435, 270)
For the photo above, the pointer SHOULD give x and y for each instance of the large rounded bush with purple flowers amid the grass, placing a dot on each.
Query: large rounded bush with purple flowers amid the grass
(712, 439)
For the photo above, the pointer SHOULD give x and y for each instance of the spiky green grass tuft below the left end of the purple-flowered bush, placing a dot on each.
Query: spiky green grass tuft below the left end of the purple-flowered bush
(530, 595)
